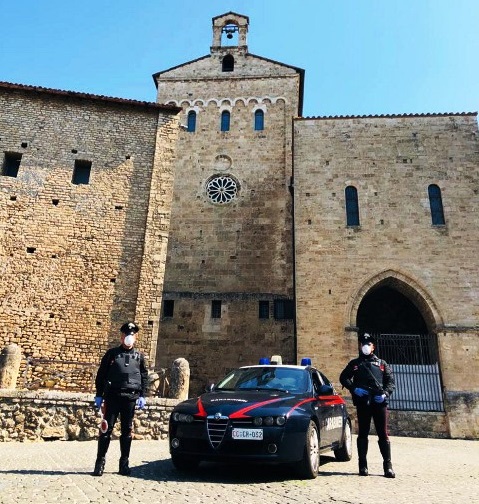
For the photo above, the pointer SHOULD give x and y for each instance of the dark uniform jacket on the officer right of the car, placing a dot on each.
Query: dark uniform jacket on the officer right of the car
(370, 373)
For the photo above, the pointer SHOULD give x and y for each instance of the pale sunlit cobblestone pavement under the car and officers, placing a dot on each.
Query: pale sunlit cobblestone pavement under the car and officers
(428, 471)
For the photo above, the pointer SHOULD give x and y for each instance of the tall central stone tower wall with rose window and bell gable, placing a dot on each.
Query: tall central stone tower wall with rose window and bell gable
(239, 253)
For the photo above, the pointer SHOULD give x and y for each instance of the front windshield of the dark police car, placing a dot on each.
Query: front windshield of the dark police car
(268, 378)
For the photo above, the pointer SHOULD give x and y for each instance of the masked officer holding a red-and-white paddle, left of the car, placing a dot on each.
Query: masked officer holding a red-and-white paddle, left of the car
(121, 383)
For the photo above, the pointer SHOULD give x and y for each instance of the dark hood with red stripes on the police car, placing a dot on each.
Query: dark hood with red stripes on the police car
(242, 404)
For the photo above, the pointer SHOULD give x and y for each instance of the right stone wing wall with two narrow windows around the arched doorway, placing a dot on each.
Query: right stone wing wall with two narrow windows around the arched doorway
(391, 161)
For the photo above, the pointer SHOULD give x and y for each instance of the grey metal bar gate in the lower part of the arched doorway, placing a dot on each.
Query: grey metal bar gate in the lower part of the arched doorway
(415, 364)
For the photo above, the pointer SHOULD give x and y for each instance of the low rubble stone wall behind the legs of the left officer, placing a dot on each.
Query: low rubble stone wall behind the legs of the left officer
(47, 415)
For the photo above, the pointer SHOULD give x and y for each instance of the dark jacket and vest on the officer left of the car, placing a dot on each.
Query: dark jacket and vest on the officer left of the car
(125, 370)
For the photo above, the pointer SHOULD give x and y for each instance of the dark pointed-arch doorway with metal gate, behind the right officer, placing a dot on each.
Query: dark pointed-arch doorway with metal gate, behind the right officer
(403, 324)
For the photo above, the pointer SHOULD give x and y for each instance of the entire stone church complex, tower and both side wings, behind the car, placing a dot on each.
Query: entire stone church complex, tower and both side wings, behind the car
(259, 232)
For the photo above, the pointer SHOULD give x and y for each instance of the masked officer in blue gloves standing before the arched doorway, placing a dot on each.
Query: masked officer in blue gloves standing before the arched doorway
(371, 382)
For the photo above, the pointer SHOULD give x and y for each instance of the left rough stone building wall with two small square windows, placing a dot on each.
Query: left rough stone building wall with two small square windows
(73, 255)
